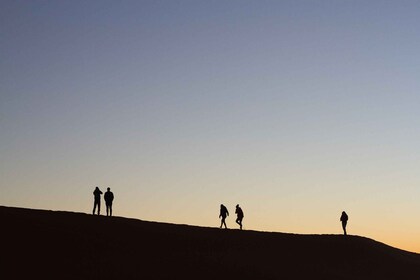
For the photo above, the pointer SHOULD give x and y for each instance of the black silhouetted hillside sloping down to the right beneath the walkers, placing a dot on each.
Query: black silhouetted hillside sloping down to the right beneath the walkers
(38, 244)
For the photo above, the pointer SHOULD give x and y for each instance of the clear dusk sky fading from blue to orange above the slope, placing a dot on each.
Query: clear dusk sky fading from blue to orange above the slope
(296, 110)
